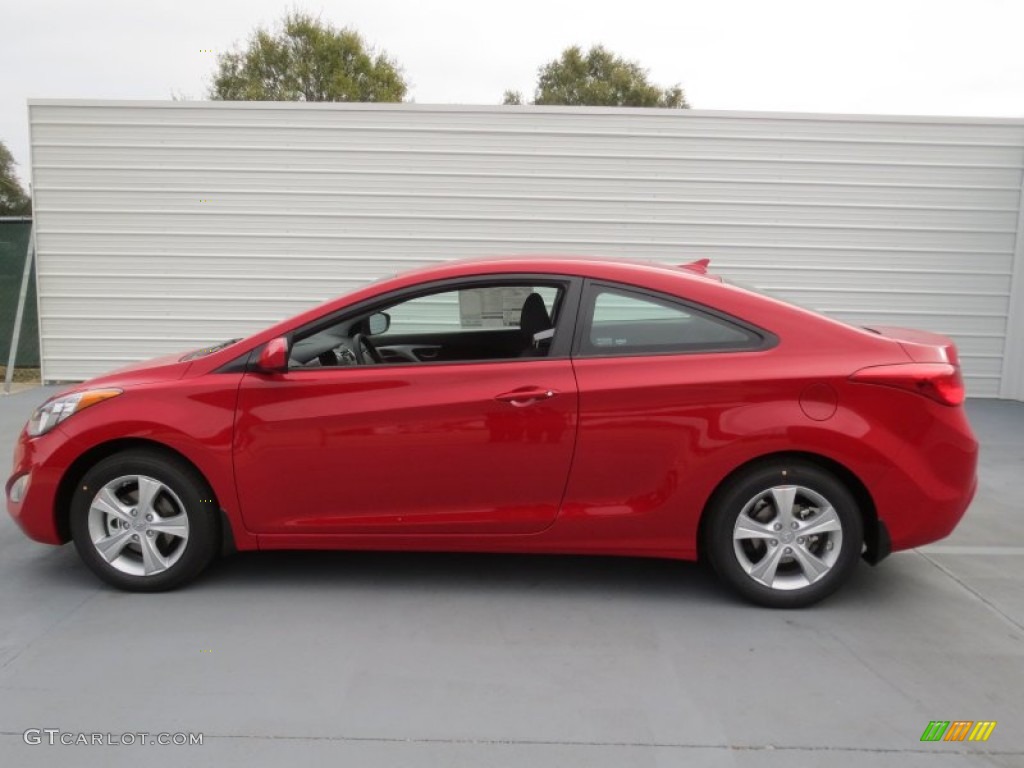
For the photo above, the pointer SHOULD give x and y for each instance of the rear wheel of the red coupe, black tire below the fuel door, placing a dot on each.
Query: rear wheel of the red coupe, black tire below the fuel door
(737, 556)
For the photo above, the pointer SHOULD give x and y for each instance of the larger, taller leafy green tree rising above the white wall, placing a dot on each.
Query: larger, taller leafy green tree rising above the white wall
(307, 61)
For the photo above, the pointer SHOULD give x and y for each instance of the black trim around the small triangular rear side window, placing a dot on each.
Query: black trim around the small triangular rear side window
(760, 338)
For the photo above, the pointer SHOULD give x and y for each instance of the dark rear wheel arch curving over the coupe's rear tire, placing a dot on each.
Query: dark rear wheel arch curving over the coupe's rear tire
(876, 537)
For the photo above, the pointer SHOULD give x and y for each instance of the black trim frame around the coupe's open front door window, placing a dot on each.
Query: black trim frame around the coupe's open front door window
(561, 348)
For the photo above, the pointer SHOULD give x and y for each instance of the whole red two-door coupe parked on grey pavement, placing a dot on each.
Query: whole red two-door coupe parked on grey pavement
(523, 405)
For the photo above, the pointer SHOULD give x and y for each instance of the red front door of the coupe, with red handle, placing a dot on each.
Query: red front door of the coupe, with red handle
(456, 447)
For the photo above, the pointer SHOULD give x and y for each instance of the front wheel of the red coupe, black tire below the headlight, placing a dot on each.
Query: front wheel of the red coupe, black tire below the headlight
(184, 491)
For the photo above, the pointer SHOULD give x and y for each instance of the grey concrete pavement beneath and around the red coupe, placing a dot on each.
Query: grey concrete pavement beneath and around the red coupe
(366, 660)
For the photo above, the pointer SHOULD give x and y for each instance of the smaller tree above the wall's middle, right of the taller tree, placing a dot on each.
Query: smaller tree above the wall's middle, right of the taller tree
(599, 78)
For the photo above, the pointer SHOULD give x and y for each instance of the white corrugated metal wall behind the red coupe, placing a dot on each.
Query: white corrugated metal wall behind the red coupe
(164, 226)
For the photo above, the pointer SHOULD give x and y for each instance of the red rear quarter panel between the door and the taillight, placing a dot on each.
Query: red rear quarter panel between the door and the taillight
(658, 436)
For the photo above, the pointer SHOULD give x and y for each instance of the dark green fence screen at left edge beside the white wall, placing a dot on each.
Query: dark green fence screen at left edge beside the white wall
(15, 234)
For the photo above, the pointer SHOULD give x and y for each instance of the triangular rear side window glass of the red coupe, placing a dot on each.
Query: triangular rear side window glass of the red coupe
(624, 322)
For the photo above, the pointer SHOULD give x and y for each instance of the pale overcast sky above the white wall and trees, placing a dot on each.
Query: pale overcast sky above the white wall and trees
(876, 57)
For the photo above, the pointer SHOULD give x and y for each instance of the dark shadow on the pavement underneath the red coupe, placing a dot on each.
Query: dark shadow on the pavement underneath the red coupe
(300, 573)
